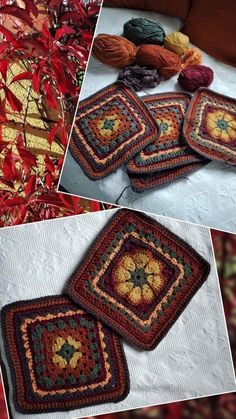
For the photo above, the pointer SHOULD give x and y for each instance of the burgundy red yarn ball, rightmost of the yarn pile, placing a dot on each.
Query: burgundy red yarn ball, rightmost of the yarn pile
(195, 76)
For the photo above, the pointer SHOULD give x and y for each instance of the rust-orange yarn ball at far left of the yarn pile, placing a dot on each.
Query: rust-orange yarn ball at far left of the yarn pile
(113, 50)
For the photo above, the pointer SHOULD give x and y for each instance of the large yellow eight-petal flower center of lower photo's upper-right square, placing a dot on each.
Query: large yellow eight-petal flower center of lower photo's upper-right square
(138, 277)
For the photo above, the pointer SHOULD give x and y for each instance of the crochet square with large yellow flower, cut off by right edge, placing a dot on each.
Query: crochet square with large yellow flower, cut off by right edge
(210, 125)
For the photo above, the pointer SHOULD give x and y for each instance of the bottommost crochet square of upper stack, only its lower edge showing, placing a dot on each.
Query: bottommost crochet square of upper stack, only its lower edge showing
(144, 182)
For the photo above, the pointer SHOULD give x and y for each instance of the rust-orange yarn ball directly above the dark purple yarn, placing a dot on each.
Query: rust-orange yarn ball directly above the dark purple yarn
(166, 62)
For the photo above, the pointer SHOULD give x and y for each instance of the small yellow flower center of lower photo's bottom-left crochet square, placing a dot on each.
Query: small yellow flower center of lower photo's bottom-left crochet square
(66, 352)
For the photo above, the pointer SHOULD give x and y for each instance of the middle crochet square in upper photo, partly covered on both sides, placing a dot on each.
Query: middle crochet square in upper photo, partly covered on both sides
(169, 150)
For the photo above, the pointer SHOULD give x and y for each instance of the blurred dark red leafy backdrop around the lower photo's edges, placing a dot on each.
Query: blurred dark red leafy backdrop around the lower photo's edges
(215, 407)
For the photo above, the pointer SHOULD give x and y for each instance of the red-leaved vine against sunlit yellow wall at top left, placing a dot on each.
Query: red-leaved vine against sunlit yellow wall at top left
(49, 43)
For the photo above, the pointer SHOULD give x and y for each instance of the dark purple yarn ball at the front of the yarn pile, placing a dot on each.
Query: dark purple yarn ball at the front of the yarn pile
(139, 78)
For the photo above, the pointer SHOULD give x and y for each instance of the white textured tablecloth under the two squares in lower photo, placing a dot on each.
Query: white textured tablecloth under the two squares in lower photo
(193, 359)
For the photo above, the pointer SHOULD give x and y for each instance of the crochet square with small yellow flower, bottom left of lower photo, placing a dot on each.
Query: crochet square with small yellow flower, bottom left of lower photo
(60, 357)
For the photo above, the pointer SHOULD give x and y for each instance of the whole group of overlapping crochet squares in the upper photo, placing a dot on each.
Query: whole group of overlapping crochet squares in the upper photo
(160, 137)
